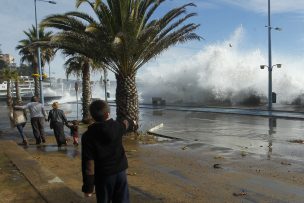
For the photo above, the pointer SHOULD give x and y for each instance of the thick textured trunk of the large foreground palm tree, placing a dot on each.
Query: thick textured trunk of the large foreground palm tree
(126, 98)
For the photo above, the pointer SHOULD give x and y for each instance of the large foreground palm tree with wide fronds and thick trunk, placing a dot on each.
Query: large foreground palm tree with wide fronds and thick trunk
(124, 37)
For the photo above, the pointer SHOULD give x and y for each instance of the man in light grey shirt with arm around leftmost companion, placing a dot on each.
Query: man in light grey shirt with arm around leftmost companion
(38, 116)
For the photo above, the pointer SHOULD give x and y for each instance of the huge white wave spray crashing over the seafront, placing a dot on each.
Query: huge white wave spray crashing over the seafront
(221, 72)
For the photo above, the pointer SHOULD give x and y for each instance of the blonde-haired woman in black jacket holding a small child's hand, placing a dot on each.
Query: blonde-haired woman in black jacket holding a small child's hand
(57, 120)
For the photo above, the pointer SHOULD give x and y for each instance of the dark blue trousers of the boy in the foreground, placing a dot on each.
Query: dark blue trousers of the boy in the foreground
(113, 188)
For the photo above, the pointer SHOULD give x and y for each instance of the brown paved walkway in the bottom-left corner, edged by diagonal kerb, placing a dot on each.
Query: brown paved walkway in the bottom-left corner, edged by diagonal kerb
(37, 183)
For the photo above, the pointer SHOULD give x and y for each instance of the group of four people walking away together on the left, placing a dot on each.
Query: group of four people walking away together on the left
(38, 116)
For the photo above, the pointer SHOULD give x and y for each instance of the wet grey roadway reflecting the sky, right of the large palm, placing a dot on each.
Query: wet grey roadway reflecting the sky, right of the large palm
(259, 135)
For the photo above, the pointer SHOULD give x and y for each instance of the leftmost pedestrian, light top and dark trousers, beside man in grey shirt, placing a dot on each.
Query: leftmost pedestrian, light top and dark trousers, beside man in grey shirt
(18, 119)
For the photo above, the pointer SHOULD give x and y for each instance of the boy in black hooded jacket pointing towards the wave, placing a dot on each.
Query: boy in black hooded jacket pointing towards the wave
(104, 161)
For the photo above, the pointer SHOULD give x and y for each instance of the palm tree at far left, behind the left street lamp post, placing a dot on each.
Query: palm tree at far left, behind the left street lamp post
(28, 51)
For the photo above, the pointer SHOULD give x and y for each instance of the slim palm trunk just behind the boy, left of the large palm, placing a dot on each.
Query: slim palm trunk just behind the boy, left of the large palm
(86, 93)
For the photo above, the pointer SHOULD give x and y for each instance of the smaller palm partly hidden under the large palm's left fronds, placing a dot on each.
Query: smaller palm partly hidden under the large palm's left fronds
(79, 65)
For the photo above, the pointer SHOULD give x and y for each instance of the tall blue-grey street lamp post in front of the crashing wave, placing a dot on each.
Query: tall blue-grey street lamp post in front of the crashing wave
(270, 66)
